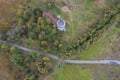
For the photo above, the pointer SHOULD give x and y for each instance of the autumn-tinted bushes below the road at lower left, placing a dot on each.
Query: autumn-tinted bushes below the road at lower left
(33, 64)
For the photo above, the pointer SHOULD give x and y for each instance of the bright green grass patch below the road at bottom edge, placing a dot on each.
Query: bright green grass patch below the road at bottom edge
(71, 72)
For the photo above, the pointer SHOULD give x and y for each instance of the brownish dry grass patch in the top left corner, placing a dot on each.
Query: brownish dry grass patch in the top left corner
(7, 13)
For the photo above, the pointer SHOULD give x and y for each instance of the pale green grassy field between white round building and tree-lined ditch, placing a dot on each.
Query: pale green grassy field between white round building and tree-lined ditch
(83, 13)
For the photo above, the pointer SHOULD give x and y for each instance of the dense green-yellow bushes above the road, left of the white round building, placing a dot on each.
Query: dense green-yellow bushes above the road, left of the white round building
(33, 26)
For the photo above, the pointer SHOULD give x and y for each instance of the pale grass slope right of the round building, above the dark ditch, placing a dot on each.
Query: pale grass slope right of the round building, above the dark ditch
(82, 16)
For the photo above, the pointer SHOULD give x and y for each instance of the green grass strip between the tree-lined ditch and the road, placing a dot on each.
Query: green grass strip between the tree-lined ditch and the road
(95, 49)
